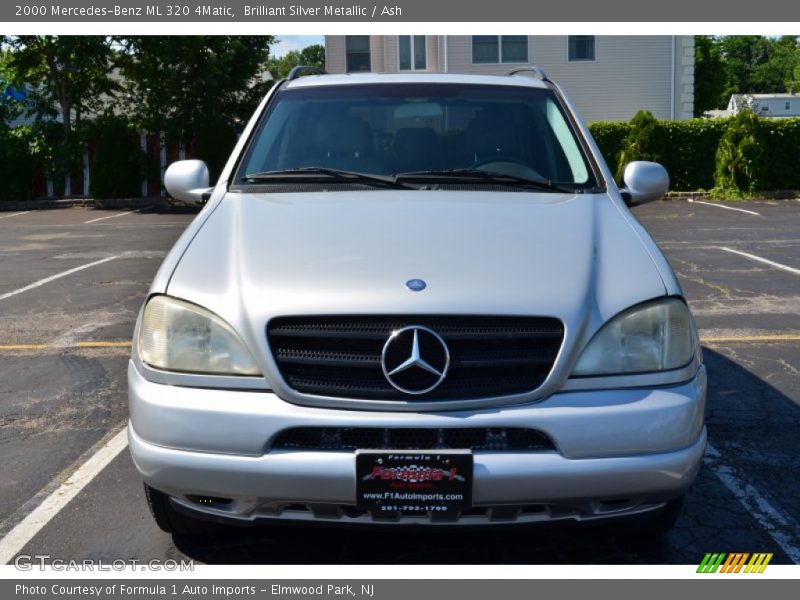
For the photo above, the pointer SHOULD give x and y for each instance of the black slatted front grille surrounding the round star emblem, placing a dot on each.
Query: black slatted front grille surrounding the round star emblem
(340, 356)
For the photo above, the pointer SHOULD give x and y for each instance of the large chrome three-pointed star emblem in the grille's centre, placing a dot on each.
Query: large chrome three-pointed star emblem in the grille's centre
(415, 359)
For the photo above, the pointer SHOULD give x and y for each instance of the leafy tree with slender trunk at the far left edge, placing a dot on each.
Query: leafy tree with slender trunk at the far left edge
(67, 77)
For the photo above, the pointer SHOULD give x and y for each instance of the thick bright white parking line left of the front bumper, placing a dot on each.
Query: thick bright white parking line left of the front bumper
(32, 524)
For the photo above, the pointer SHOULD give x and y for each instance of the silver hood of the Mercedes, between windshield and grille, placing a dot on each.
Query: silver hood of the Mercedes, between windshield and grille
(571, 256)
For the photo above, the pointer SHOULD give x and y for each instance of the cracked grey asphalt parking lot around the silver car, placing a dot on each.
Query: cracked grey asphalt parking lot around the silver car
(72, 281)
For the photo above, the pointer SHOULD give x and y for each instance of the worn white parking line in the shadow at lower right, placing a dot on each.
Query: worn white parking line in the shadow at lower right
(780, 527)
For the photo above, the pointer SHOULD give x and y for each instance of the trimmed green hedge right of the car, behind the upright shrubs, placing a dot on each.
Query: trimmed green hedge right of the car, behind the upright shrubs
(691, 151)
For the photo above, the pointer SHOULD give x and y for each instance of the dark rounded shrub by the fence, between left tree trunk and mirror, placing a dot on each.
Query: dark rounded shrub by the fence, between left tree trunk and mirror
(118, 165)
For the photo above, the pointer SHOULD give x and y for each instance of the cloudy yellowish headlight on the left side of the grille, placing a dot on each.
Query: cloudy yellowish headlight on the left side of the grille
(178, 336)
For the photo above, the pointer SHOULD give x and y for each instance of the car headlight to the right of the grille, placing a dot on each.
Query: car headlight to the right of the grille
(656, 336)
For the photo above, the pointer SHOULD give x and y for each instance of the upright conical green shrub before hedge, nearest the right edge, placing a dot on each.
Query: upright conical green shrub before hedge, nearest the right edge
(740, 157)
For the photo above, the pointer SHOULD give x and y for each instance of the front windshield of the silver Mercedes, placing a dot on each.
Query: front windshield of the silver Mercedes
(396, 129)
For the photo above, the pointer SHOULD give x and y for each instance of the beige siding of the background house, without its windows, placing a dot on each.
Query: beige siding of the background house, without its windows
(629, 73)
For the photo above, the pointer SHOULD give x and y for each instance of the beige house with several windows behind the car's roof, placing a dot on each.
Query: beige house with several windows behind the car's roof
(609, 78)
